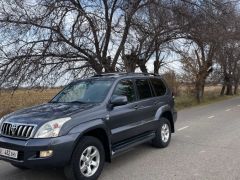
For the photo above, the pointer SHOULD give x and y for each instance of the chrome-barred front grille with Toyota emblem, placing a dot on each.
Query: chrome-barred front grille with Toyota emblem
(17, 130)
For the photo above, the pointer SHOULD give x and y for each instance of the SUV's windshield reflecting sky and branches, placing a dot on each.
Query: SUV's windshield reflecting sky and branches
(88, 91)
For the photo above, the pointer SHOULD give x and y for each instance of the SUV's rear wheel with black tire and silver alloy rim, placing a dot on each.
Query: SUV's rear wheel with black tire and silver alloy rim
(163, 134)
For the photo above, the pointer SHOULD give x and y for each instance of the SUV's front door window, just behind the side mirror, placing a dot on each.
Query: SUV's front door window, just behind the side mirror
(125, 88)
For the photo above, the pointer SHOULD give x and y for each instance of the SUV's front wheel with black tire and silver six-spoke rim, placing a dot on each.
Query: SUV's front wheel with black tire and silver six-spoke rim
(89, 153)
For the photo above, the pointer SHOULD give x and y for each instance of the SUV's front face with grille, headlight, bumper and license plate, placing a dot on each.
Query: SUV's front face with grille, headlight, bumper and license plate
(32, 145)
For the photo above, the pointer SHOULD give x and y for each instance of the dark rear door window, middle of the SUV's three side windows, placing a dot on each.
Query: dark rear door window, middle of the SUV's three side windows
(143, 88)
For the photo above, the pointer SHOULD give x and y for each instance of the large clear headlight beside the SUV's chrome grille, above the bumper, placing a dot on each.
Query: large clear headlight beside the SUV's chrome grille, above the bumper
(52, 128)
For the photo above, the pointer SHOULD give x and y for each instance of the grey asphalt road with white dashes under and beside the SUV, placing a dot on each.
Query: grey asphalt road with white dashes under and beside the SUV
(206, 145)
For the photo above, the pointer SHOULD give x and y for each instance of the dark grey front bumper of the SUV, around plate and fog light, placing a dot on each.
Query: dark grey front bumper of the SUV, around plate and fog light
(28, 151)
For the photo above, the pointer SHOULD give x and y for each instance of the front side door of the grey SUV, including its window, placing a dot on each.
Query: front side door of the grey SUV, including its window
(124, 120)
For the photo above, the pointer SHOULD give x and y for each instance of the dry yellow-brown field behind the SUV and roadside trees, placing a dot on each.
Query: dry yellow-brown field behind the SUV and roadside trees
(11, 101)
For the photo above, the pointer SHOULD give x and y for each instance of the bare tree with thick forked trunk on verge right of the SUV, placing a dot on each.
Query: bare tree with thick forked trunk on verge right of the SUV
(203, 28)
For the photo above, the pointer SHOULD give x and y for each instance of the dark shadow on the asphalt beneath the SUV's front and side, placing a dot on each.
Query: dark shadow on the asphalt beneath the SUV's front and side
(8, 172)
